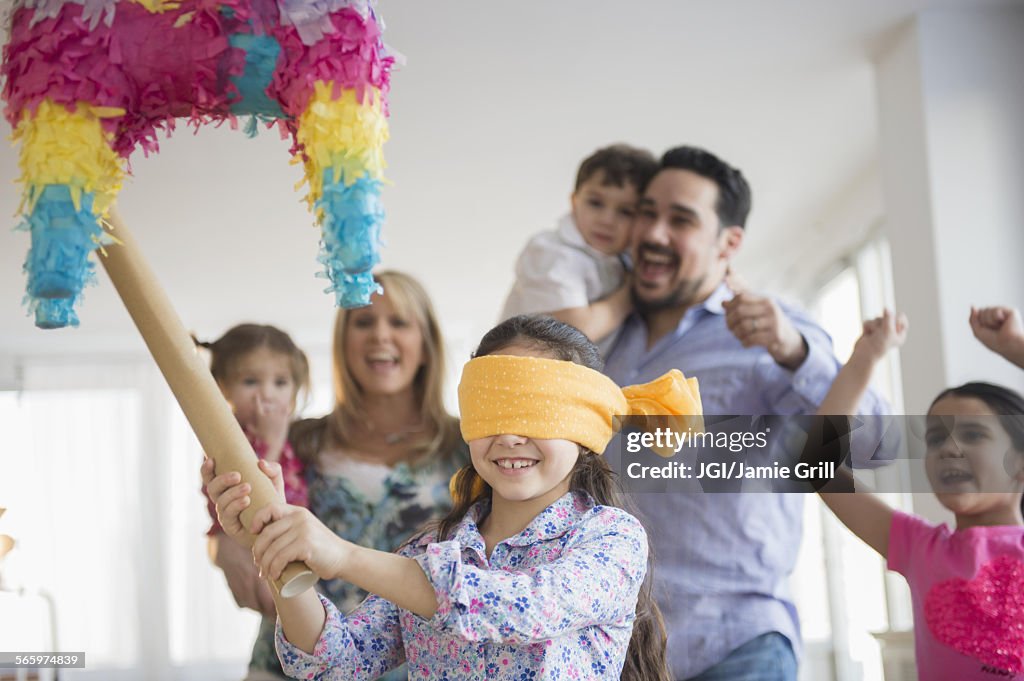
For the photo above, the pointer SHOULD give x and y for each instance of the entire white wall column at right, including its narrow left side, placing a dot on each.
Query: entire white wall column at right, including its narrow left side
(953, 154)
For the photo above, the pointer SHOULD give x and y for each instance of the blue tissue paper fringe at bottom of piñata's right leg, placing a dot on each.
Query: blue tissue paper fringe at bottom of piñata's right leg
(351, 244)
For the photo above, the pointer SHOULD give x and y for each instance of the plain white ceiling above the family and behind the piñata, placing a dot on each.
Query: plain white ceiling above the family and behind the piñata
(496, 107)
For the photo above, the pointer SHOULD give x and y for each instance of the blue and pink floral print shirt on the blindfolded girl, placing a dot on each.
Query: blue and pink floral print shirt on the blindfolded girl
(557, 602)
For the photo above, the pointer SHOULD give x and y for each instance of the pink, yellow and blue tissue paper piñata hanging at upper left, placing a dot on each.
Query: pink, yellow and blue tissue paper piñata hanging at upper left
(91, 81)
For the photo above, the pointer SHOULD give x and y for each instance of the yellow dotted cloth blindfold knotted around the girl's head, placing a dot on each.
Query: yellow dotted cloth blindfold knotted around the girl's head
(557, 400)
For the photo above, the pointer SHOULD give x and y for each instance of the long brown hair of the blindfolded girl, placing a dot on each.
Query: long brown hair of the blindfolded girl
(646, 660)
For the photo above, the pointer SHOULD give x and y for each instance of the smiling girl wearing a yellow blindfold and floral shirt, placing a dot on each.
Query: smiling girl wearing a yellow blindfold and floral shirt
(537, 574)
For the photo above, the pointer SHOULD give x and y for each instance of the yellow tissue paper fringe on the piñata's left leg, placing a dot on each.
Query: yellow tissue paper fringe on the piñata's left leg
(62, 147)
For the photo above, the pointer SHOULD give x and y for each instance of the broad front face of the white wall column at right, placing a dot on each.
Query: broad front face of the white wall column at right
(975, 102)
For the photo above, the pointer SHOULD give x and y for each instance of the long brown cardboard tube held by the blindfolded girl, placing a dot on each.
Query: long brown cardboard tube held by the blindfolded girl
(192, 384)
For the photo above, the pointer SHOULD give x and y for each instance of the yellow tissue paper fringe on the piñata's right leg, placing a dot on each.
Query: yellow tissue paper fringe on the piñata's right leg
(344, 135)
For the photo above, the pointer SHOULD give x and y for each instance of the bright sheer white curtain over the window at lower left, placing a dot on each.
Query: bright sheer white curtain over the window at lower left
(101, 479)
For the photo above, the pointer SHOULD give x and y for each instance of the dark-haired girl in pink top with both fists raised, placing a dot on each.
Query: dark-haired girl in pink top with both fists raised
(967, 584)
